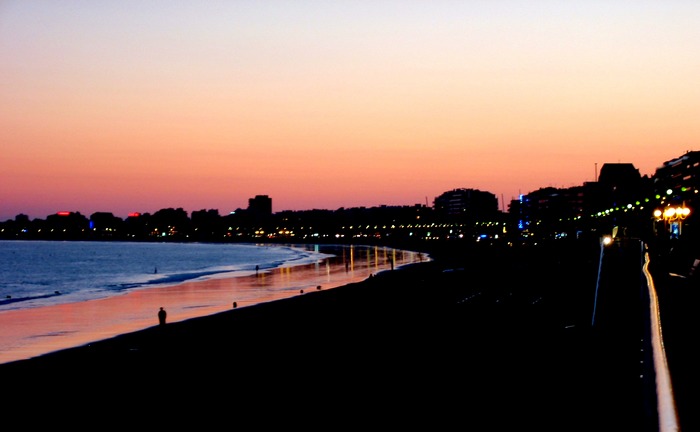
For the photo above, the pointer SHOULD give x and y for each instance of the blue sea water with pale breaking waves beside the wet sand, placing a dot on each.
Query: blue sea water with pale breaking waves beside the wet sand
(46, 273)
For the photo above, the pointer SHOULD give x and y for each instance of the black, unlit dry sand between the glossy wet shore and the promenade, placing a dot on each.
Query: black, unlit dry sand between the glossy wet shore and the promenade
(480, 338)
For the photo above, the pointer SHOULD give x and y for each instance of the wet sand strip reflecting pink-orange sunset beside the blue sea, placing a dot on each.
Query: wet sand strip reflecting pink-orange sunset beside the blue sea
(26, 334)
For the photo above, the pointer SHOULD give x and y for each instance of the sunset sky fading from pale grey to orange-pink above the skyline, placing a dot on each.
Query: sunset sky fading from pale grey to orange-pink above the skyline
(124, 106)
